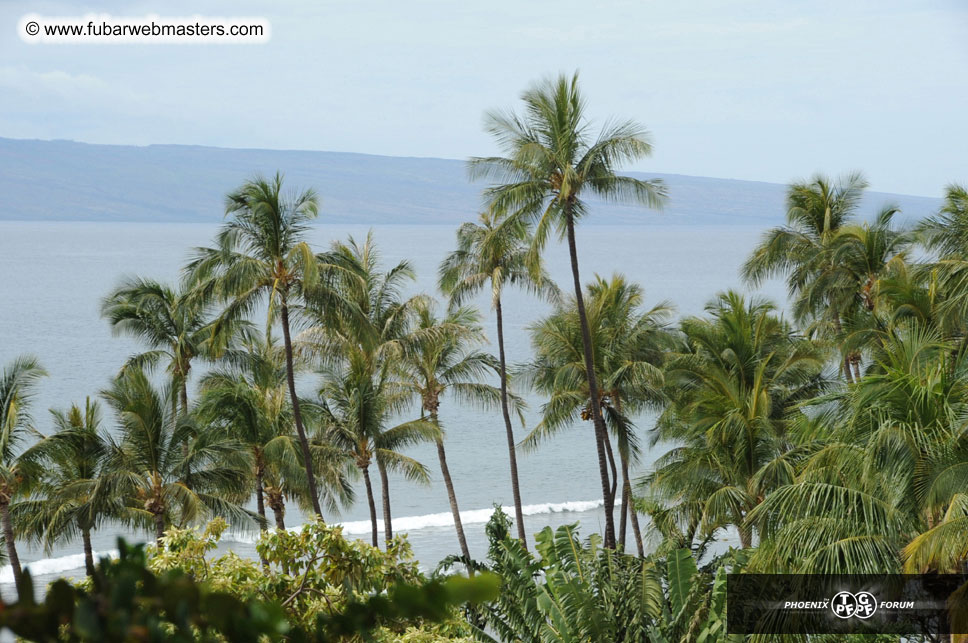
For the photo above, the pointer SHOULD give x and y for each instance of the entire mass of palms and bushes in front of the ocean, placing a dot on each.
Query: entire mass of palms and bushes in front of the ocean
(833, 439)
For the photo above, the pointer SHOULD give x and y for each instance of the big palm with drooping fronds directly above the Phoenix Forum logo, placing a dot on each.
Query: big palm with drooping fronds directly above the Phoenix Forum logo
(886, 485)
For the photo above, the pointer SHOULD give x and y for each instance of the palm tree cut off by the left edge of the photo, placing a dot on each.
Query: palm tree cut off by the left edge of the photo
(17, 382)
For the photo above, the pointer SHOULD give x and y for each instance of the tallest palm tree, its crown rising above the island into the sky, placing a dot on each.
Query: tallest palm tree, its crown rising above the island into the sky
(551, 164)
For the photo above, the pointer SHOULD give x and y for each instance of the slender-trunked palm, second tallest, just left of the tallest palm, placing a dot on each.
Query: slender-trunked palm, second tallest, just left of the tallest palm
(494, 254)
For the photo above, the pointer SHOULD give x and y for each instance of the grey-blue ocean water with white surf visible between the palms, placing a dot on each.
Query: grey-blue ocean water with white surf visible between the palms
(55, 274)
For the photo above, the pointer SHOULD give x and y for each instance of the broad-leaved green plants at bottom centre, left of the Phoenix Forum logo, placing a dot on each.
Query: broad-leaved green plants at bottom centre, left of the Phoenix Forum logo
(574, 590)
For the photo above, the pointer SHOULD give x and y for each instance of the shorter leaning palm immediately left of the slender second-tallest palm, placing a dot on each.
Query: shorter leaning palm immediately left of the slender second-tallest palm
(443, 361)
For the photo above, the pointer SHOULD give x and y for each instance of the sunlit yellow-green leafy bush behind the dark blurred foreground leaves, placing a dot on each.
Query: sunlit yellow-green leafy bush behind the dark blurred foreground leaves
(323, 580)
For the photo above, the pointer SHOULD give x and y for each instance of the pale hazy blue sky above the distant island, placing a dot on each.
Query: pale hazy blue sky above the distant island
(765, 90)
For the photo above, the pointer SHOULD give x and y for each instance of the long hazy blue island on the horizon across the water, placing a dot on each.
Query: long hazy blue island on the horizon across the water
(70, 181)
